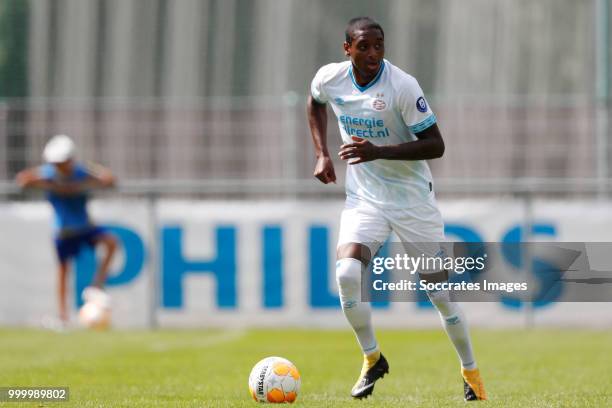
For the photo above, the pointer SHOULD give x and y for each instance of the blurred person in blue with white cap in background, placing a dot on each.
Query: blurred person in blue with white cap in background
(67, 183)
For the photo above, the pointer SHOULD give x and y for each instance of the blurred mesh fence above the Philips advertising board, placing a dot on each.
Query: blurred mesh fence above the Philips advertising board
(265, 141)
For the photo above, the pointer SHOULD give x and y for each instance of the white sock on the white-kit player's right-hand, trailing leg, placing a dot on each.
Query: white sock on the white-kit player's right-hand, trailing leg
(456, 327)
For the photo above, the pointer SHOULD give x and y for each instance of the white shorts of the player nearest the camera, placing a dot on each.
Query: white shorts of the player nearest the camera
(420, 229)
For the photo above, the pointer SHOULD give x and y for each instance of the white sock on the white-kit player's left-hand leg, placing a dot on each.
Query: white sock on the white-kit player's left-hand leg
(358, 313)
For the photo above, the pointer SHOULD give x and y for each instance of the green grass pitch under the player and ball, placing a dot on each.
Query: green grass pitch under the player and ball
(190, 368)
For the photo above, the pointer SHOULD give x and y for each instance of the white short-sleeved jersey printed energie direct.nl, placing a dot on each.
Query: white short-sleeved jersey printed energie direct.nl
(387, 111)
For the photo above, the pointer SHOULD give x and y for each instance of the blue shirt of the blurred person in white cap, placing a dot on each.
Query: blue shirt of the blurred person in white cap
(70, 210)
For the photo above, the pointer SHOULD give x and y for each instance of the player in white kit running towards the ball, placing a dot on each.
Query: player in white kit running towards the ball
(388, 130)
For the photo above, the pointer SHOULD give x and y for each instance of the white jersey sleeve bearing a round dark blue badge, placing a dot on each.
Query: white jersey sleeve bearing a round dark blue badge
(415, 110)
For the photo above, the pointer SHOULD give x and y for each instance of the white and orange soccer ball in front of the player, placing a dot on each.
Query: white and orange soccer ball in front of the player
(275, 380)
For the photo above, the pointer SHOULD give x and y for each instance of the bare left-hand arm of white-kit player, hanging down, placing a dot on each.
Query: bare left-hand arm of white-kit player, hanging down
(317, 120)
